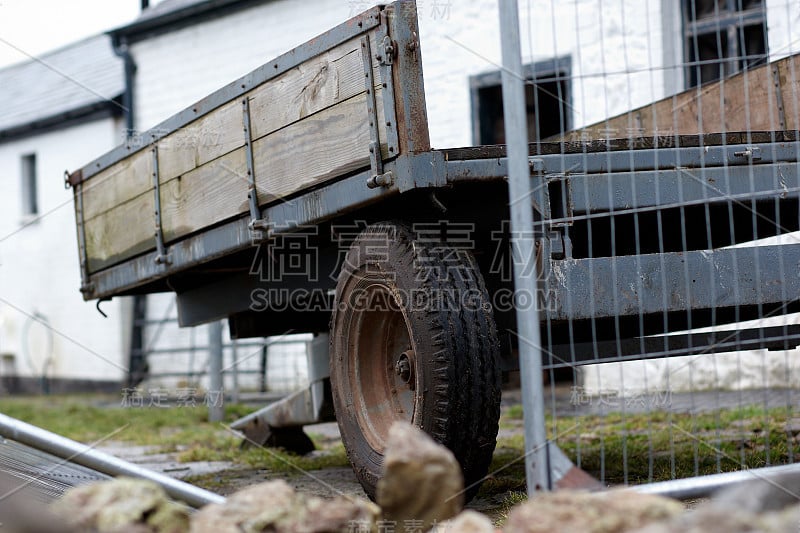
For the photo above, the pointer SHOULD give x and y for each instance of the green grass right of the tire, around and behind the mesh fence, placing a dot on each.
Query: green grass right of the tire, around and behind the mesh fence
(654, 447)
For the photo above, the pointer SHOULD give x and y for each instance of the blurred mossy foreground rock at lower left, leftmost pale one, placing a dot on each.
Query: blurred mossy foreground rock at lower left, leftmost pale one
(122, 504)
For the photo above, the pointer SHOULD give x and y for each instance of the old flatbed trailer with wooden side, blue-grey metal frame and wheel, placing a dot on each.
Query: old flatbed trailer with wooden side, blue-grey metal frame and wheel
(263, 204)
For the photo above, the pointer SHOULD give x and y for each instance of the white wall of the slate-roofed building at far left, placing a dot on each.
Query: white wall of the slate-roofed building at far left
(39, 269)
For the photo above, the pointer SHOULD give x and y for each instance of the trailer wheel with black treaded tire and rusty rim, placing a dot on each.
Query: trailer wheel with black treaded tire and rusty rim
(456, 393)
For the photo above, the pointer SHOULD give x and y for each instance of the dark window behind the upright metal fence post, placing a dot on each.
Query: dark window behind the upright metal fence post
(547, 95)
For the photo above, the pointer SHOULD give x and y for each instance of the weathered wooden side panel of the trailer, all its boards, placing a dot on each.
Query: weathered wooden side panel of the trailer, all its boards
(308, 125)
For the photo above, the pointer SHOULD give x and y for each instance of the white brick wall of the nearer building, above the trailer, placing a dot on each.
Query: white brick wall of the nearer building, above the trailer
(622, 39)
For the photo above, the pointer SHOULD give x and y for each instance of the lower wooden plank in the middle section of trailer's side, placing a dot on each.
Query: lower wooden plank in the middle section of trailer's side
(204, 196)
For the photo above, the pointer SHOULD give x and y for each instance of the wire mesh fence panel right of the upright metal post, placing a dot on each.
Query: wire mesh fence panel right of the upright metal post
(664, 150)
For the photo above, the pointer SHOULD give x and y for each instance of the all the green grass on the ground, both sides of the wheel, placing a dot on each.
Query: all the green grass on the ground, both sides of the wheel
(617, 447)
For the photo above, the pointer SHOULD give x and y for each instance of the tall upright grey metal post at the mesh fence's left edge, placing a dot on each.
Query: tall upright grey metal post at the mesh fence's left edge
(537, 468)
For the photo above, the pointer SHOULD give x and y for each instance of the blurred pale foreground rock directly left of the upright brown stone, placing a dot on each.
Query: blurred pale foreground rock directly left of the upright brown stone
(274, 506)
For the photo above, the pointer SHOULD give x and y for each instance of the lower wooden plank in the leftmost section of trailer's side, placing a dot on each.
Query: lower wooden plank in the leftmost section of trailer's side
(122, 232)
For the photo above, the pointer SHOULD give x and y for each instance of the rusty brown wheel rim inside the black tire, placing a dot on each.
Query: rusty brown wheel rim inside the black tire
(383, 371)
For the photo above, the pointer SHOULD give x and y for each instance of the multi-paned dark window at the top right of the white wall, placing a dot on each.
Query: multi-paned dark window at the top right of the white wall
(723, 37)
